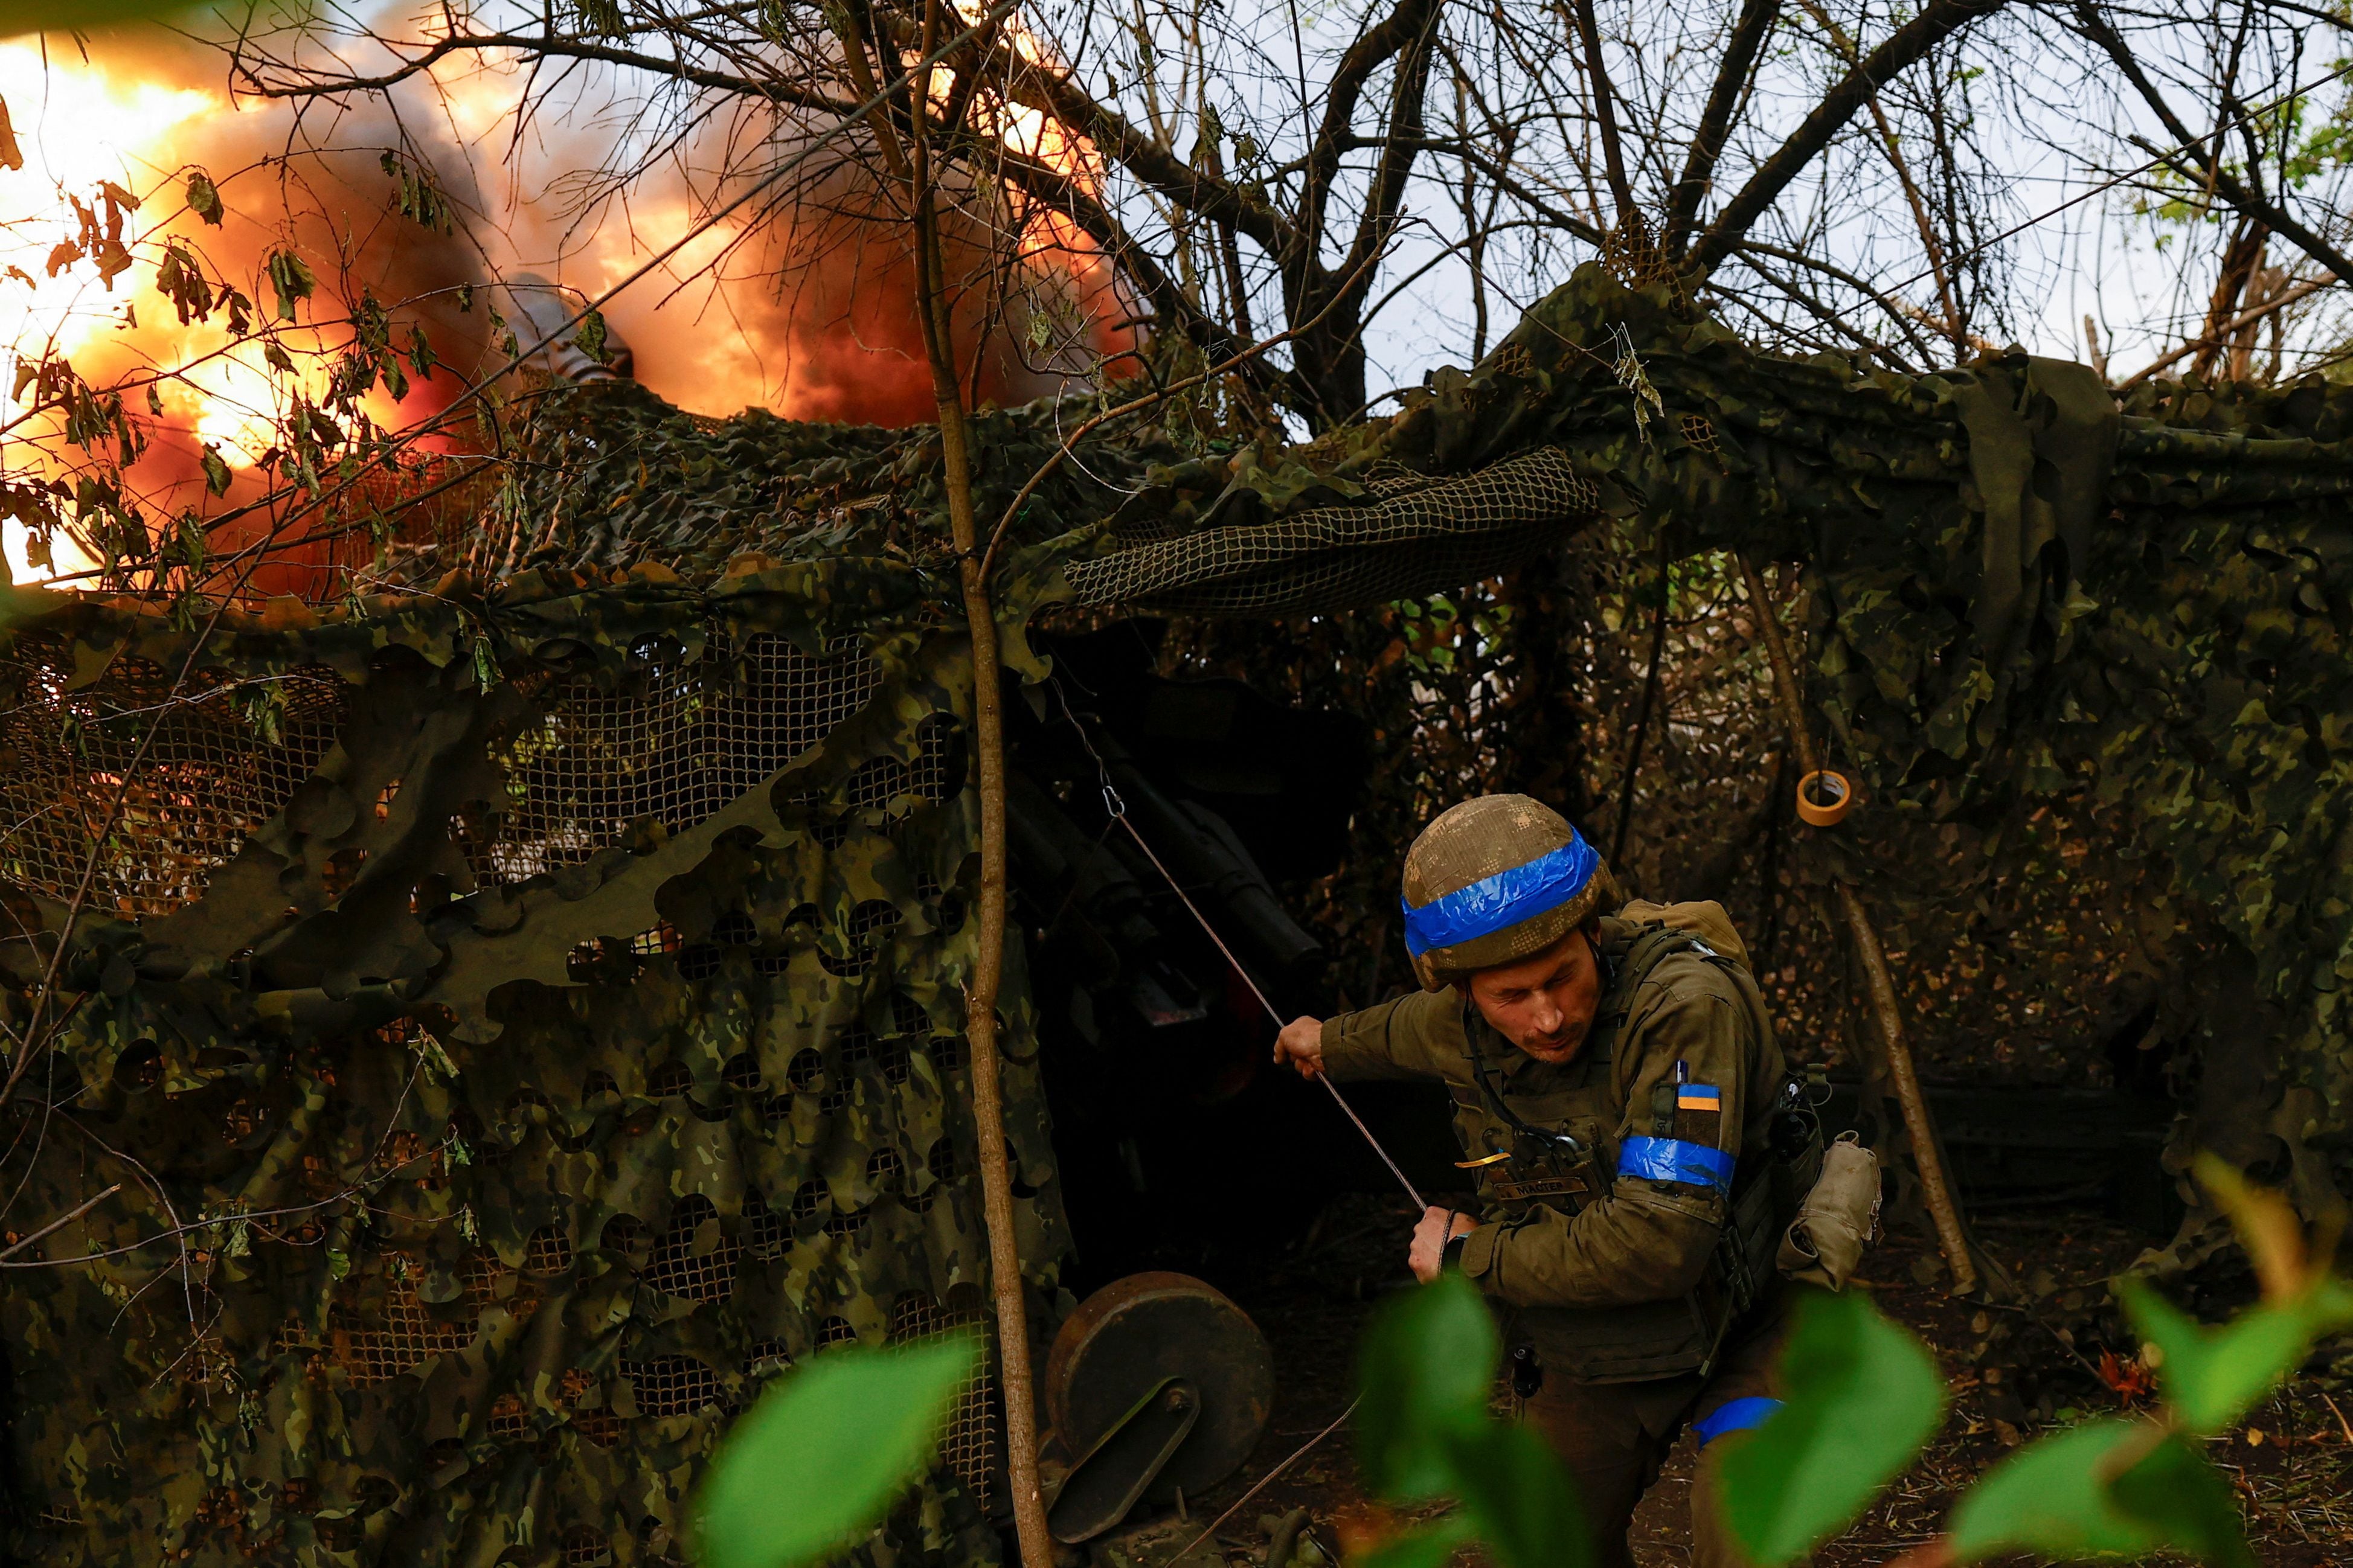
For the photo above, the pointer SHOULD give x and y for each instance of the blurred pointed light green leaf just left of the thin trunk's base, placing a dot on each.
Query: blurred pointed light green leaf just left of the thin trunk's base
(822, 1456)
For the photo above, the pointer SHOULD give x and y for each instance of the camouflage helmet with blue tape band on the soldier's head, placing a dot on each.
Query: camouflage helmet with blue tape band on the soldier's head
(1498, 880)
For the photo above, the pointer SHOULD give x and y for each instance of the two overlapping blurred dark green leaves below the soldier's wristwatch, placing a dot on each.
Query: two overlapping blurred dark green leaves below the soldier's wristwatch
(1425, 1433)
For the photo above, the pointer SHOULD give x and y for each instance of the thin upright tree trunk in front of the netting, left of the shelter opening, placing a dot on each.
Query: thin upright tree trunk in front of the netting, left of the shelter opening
(1018, 1383)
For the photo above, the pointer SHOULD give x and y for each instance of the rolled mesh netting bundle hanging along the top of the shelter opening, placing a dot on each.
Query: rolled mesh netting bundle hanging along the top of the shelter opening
(1418, 537)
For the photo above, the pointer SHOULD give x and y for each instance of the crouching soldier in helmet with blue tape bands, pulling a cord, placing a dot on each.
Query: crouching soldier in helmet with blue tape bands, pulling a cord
(1615, 1092)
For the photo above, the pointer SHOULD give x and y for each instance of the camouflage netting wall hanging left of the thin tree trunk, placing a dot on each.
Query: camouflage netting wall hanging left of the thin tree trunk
(519, 1028)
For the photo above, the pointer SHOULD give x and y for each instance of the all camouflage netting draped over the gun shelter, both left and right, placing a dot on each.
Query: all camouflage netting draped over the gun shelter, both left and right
(521, 1007)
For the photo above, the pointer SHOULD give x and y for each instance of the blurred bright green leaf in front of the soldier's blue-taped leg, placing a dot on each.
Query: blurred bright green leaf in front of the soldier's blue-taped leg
(1860, 1402)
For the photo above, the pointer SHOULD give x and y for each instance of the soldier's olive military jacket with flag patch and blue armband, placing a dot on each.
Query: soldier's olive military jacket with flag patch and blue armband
(1608, 1292)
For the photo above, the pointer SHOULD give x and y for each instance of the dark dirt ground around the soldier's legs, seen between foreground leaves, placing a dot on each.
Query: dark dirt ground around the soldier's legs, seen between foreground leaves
(2011, 1376)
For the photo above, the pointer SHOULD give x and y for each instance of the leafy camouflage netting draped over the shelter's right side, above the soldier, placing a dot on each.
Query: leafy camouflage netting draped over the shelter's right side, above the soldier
(2018, 594)
